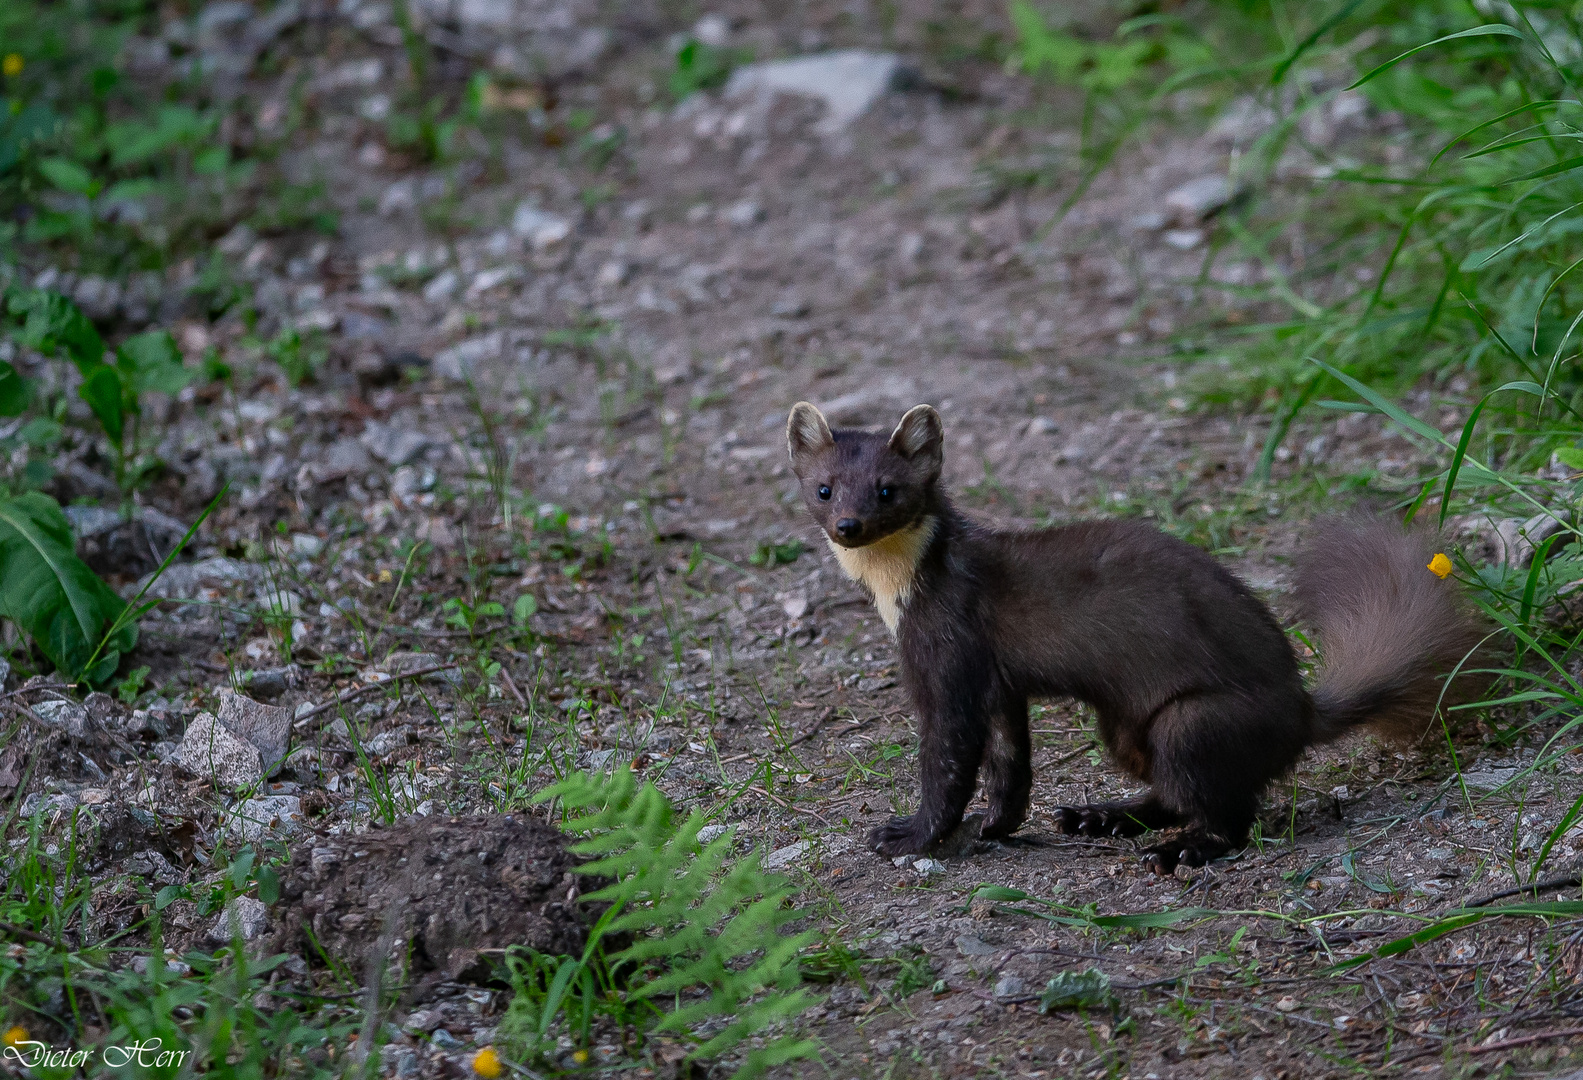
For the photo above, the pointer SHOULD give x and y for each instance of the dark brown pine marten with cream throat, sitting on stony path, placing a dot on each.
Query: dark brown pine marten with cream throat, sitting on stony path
(1198, 690)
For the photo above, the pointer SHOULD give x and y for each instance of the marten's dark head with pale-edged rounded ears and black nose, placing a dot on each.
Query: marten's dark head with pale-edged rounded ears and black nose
(862, 485)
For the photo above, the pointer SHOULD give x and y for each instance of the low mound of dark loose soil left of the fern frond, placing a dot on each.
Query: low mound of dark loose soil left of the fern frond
(435, 897)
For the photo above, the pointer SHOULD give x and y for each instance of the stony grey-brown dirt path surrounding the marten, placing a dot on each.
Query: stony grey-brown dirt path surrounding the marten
(594, 417)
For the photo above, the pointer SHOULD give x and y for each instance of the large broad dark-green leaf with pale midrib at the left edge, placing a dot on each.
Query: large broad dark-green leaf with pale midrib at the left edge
(51, 595)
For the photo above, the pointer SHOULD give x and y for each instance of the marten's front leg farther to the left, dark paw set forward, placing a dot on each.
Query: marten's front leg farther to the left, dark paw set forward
(952, 734)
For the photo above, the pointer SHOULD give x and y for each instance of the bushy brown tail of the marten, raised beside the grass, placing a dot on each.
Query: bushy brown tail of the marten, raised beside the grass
(1389, 629)
